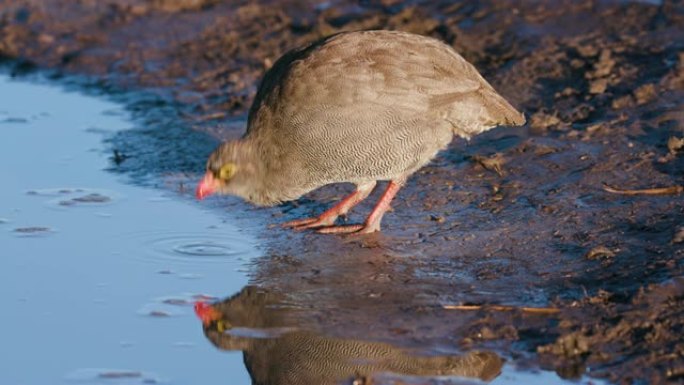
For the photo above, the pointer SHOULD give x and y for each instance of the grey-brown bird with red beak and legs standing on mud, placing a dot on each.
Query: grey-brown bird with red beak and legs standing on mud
(357, 107)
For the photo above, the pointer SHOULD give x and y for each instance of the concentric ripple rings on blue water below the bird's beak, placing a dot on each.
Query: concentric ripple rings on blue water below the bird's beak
(212, 246)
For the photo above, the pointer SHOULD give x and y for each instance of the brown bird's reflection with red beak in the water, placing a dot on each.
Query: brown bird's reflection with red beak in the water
(255, 322)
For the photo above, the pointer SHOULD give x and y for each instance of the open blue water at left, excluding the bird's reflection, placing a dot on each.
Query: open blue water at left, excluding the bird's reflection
(87, 262)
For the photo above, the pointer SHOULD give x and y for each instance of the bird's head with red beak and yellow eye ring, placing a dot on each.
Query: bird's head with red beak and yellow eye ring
(230, 170)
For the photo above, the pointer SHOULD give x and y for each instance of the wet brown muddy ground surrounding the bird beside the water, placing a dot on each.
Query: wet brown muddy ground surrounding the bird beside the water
(516, 217)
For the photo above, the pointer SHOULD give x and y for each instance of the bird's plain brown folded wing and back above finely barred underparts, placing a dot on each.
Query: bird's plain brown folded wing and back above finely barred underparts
(381, 73)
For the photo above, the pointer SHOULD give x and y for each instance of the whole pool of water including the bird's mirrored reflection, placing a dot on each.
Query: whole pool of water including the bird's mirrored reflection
(102, 280)
